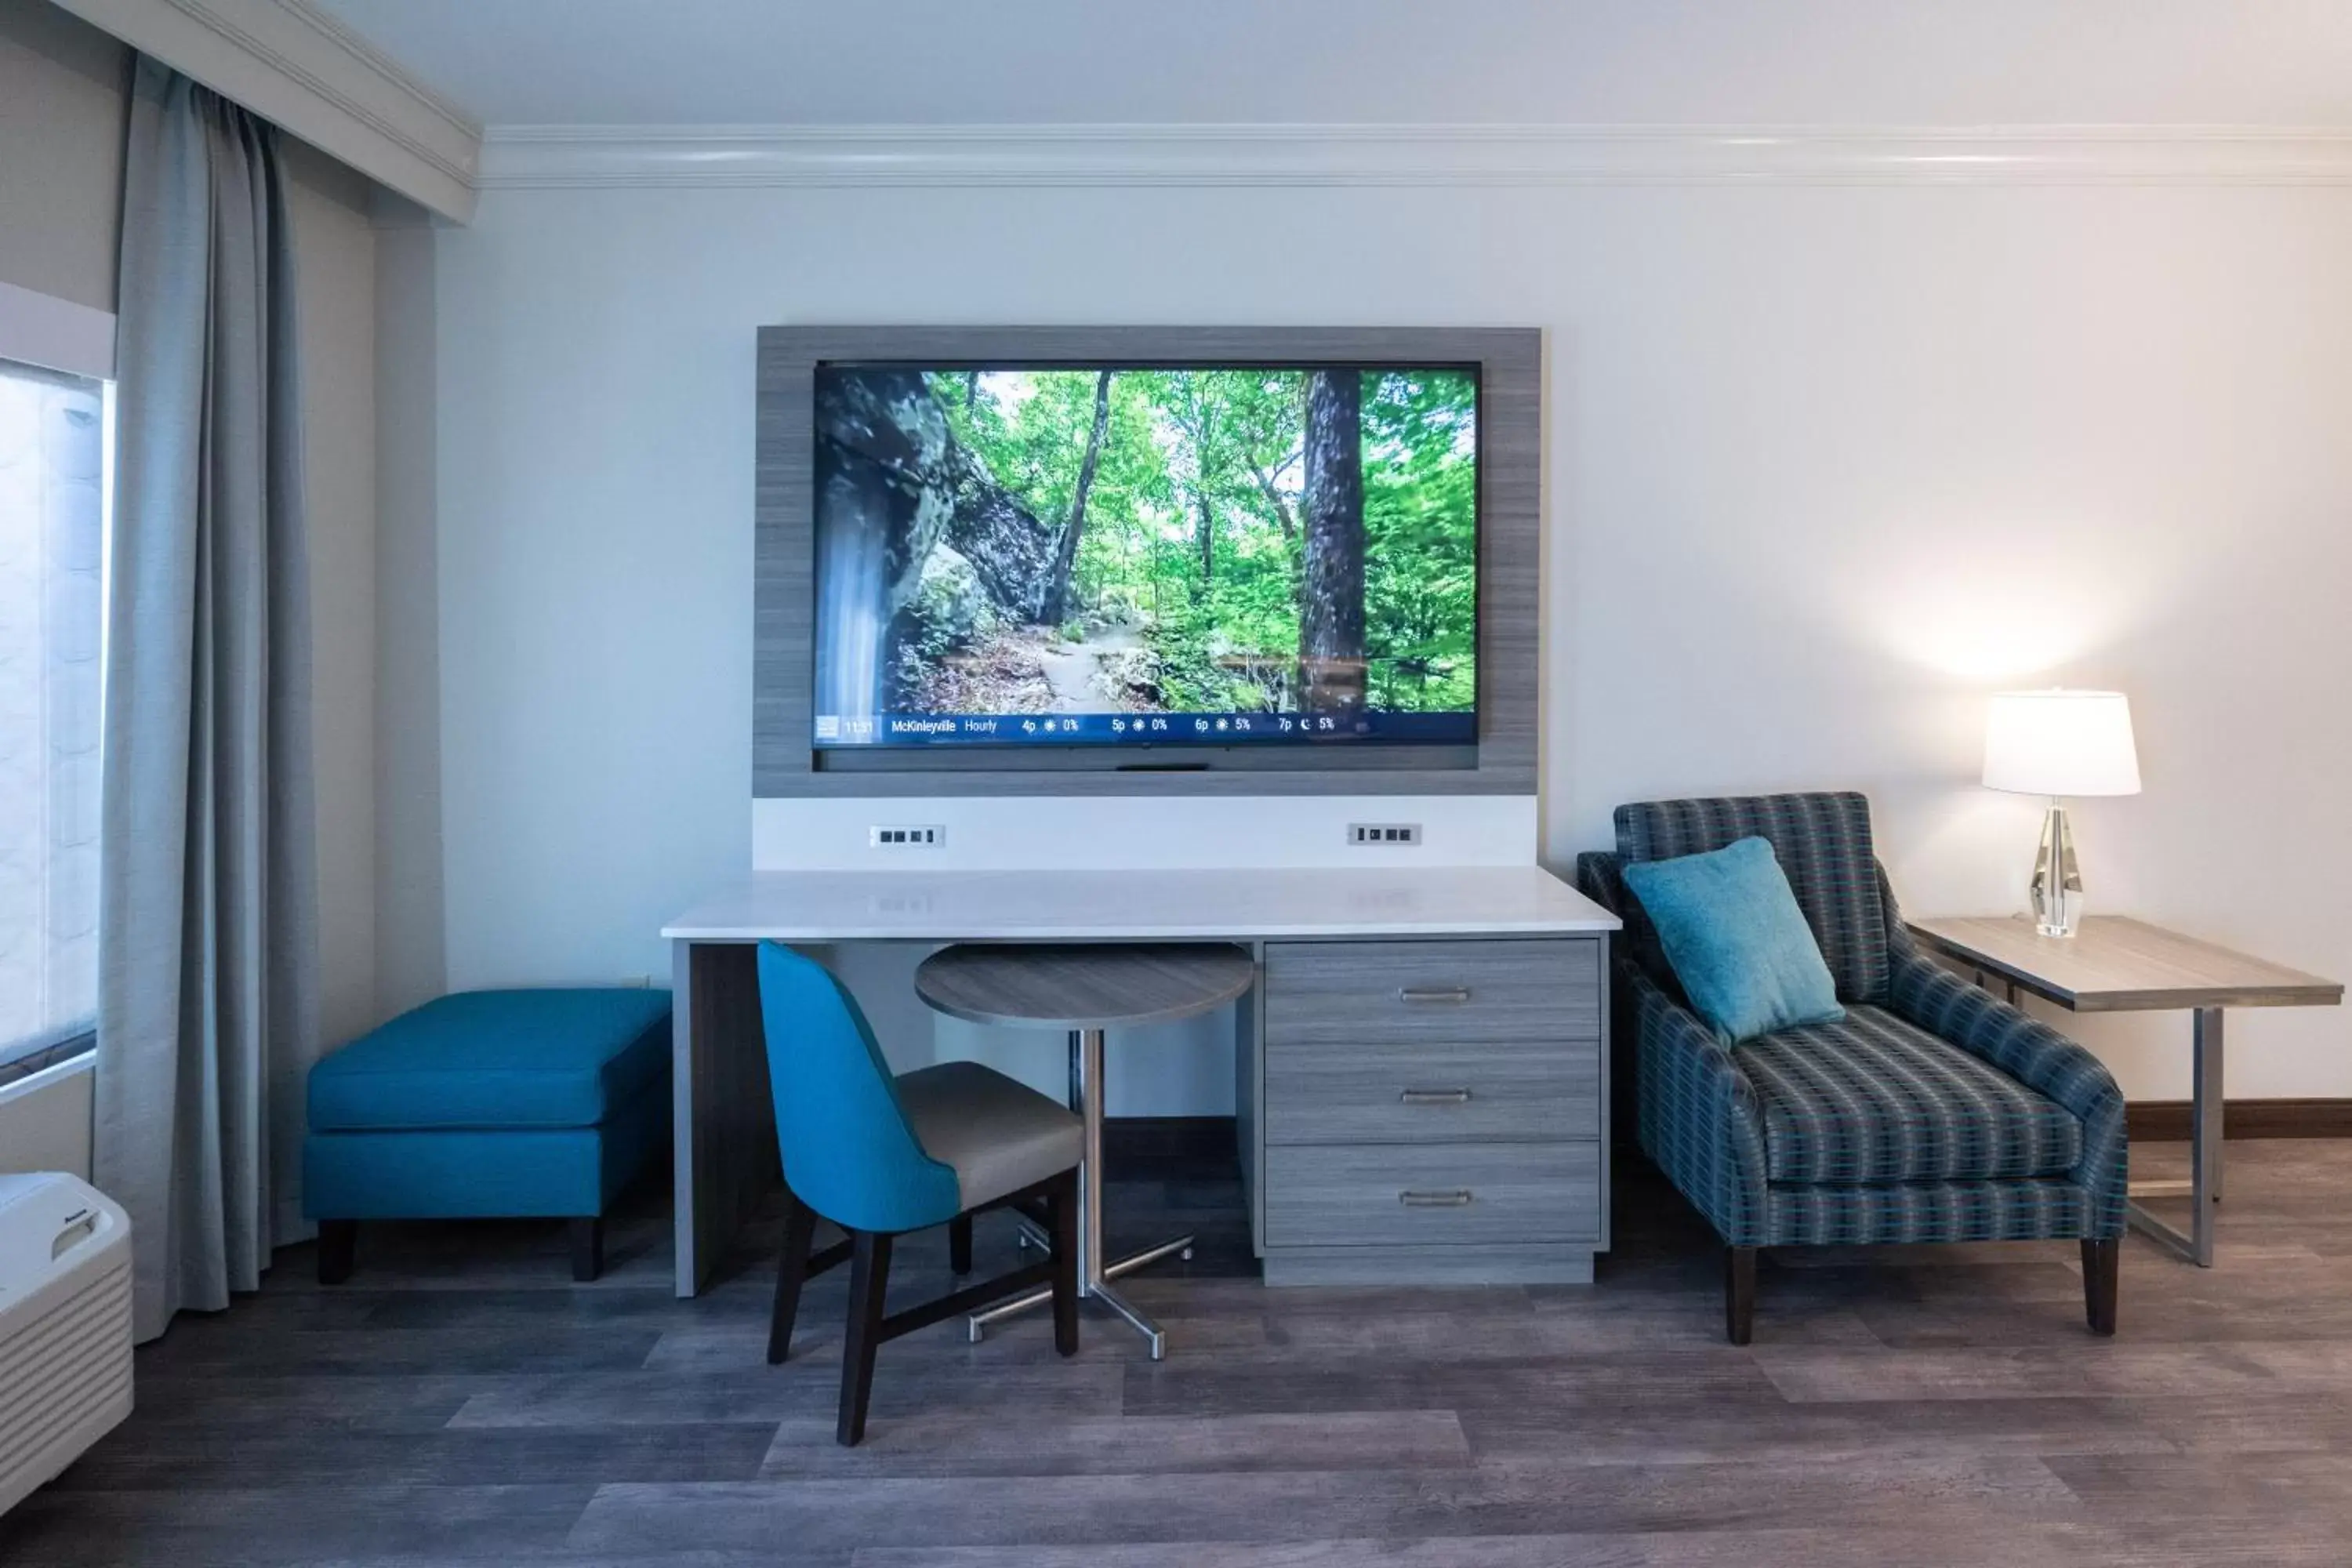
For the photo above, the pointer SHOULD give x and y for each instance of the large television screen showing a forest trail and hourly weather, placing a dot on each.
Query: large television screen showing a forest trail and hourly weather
(1147, 556)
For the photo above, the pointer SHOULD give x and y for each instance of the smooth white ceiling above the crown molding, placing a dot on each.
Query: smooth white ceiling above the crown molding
(1417, 62)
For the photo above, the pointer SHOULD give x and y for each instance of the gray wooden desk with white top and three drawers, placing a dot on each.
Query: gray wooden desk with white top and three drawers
(1419, 1068)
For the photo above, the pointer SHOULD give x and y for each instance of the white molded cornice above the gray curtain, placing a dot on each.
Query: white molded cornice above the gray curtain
(302, 69)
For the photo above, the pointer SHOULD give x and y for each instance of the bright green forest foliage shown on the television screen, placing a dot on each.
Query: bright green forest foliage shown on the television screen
(1191, 558)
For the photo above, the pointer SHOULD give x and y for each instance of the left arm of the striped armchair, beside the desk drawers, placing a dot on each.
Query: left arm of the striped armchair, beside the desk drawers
(1699, 1115)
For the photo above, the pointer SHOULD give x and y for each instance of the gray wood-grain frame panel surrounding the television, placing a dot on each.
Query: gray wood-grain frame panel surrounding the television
(1509, 575)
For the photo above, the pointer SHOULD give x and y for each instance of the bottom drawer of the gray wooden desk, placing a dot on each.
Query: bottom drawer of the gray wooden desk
(1443, 1193)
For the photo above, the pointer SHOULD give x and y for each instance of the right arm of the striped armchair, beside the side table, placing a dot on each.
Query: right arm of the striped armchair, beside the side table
(2031, 1052)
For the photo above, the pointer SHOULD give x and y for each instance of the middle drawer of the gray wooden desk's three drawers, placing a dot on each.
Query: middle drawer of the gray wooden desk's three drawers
(1419, 1092)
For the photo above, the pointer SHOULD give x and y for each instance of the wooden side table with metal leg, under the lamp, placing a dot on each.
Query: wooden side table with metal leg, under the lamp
(2123, 965)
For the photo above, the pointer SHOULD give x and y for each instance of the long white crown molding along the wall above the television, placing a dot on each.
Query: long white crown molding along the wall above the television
(1497, 156)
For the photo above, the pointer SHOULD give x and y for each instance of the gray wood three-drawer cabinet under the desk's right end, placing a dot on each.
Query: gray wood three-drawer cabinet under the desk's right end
(1429, 1111)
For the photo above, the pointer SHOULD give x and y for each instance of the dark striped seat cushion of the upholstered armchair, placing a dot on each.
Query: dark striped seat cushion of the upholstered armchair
(1883, 1101)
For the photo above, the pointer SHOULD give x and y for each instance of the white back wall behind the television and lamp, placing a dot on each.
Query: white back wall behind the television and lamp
(1826, 467)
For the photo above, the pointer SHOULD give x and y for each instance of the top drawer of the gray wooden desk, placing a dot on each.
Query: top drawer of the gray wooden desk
(1438, 993)
